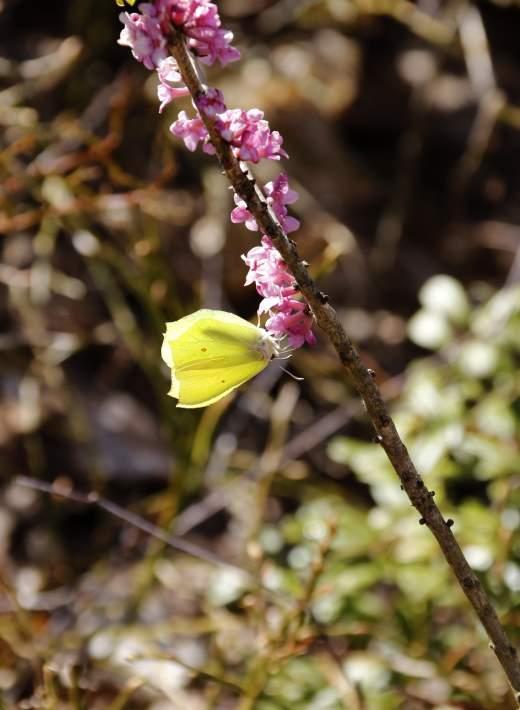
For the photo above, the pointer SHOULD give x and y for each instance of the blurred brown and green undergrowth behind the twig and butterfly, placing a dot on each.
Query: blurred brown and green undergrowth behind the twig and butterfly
(298, 576)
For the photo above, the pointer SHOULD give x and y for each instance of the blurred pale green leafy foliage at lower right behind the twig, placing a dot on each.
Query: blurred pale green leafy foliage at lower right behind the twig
(384, 585)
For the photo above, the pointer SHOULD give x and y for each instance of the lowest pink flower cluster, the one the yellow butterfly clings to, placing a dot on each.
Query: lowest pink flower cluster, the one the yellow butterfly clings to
(288, 317)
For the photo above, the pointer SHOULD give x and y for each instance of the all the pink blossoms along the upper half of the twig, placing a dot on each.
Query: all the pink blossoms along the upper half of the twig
(247, 132)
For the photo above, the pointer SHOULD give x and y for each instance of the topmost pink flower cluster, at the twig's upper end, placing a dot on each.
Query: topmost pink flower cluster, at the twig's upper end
(147, 32)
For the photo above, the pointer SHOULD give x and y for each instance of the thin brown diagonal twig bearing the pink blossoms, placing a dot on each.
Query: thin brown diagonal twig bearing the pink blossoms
(363, 380)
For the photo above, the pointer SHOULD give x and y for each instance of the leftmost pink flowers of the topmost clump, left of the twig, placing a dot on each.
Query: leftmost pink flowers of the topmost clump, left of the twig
(143, 34)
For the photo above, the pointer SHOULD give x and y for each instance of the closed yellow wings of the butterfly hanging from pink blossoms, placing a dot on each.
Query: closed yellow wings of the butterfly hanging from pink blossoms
(210, 354)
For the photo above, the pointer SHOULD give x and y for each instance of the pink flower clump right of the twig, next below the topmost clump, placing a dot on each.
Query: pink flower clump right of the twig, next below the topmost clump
(250, 135)
